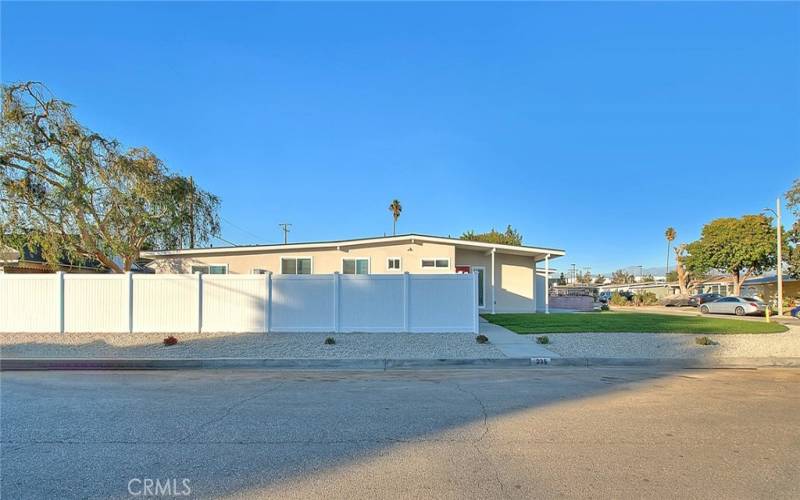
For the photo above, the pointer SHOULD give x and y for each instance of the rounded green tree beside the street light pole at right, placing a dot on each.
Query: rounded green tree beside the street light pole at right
(741, 247)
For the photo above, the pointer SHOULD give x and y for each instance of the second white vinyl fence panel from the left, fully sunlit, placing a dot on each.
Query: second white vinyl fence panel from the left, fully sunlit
(96, 303)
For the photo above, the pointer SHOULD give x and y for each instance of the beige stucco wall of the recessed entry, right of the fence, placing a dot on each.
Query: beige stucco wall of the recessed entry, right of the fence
(513, 279)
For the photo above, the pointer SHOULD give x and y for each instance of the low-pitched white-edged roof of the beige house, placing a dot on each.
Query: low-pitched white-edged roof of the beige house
(457, 242)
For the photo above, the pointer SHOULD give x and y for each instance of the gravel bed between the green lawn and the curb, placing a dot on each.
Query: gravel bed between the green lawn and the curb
(671, 345)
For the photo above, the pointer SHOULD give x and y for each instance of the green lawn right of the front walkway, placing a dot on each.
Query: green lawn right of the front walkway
(608, 321)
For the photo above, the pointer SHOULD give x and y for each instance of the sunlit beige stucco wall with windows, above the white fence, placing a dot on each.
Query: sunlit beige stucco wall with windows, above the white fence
(324, 261)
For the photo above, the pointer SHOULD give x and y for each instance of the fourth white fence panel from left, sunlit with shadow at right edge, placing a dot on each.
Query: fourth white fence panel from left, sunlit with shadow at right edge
(234, 303)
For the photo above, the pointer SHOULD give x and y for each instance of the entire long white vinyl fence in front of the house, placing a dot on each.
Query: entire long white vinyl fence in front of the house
(177, 303)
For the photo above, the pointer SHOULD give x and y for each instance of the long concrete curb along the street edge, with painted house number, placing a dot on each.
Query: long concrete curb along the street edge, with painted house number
(29, 364)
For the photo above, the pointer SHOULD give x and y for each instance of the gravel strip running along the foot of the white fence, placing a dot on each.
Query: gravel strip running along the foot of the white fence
(247, 345)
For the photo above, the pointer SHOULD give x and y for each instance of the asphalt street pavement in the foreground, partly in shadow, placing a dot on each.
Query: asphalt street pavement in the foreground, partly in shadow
(469, 433)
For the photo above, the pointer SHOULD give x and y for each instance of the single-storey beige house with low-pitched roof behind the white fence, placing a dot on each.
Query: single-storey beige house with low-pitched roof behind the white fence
(506, 273)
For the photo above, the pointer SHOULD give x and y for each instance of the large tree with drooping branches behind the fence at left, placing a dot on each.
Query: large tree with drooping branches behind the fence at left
(75, 194)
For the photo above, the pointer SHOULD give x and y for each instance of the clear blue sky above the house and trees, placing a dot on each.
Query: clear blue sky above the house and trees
(589, 127)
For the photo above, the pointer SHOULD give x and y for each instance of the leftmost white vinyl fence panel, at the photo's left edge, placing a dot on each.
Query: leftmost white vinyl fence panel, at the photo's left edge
(30, 303)
